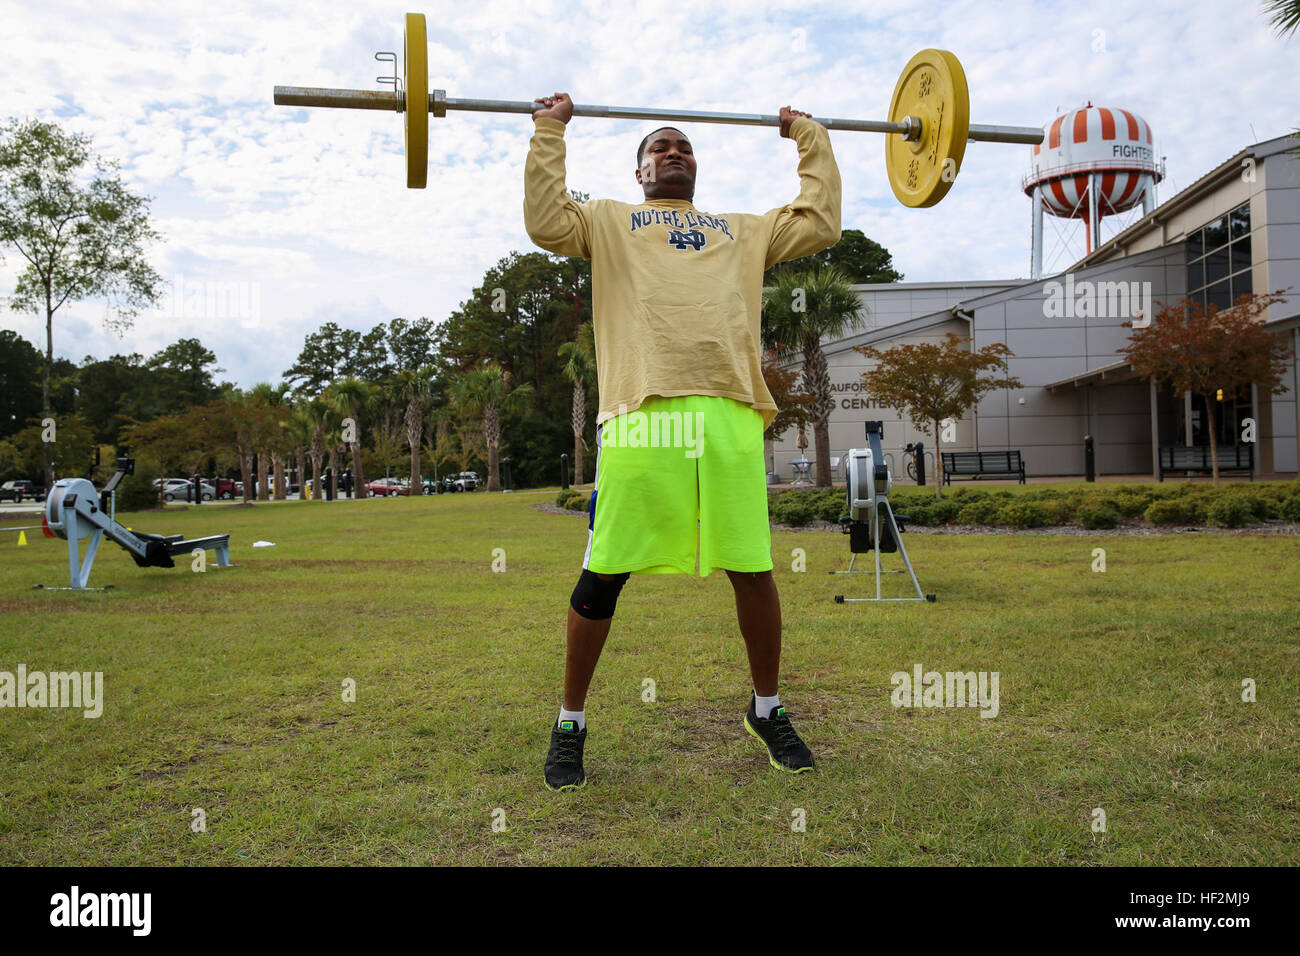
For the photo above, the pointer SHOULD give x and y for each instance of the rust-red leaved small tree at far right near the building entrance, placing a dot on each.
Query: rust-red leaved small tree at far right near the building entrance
(1202, 349)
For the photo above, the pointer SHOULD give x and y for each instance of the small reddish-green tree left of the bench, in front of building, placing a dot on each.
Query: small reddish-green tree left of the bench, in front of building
(933, 383)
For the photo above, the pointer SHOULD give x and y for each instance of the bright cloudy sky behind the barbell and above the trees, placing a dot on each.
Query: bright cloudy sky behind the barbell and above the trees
(309, 209)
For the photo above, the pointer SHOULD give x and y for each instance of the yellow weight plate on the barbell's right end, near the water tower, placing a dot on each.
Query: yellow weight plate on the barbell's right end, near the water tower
(933, 88)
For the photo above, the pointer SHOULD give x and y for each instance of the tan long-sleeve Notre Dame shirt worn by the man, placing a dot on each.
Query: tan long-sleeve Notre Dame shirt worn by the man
(678, 292)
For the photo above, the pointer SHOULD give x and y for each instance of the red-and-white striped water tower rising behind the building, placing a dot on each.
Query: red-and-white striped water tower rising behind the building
(1095, 162)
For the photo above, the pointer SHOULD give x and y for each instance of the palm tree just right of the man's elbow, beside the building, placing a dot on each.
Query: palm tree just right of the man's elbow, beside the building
(799, 312)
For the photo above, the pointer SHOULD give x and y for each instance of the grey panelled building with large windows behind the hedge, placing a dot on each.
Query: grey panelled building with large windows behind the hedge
(1236, 230)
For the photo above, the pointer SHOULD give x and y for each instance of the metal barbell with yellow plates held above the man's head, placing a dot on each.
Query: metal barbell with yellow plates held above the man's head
(928, 129)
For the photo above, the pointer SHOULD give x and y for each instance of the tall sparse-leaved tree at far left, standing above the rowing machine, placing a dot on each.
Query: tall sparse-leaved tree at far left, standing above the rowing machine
(83, 237)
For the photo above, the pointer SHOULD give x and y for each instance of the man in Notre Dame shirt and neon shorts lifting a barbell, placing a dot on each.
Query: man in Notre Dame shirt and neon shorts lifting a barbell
(684, 406)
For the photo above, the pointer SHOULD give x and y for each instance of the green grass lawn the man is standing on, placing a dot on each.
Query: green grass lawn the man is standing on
(1120, 691)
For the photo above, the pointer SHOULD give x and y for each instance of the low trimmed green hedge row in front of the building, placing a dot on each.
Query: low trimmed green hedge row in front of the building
(1102, 507)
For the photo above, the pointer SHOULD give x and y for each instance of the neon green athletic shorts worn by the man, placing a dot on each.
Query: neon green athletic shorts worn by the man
(674, 473)
